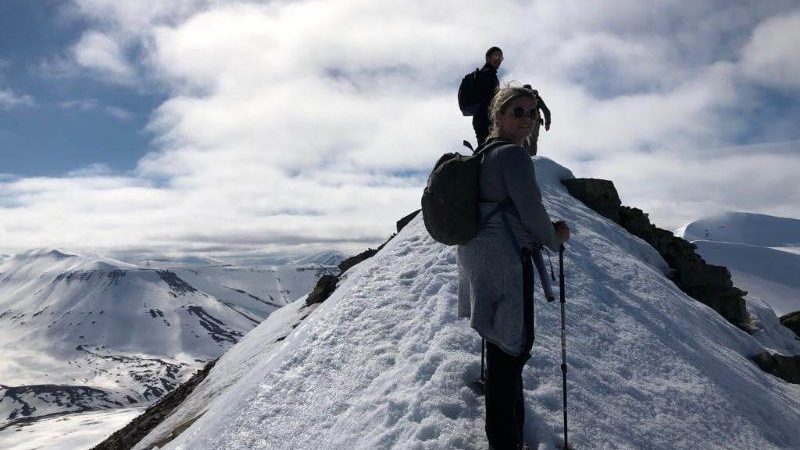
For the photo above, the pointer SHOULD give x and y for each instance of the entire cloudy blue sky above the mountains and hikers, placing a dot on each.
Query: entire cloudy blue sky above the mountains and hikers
(239, 128)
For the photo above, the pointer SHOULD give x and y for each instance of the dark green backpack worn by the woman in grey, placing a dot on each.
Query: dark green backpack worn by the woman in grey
(451, 200)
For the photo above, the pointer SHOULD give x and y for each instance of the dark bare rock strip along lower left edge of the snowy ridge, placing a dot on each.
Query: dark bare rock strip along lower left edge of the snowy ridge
(139, 427)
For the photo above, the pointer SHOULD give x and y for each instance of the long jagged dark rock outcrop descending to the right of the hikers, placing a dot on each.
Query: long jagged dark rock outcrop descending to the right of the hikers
(709, 284)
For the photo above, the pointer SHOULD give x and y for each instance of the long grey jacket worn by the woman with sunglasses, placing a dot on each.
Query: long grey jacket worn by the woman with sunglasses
(489, 267)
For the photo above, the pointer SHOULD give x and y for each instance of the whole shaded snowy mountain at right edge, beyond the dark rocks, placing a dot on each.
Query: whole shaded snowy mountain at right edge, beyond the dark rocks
(762, 252)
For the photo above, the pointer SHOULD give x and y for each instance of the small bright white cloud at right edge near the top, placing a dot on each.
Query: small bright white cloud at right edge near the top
(771, 56)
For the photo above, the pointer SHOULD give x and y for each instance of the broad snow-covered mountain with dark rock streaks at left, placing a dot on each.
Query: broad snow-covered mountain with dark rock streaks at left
(81, 333)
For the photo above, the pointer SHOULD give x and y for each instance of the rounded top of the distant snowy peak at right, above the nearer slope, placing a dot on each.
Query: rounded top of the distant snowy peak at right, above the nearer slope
(744, 228)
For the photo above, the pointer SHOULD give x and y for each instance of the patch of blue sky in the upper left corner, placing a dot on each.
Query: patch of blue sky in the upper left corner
(51, 138)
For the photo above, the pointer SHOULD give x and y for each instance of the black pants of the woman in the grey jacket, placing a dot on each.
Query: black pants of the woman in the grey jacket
(505, 405)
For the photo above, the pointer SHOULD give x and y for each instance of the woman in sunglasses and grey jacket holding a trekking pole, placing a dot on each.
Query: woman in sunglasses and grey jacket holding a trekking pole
(495, 270)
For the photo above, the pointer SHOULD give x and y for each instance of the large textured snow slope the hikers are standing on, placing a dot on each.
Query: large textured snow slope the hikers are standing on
(385, 362)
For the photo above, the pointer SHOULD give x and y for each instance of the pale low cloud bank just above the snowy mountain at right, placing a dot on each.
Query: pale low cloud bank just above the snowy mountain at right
(681, 185)
